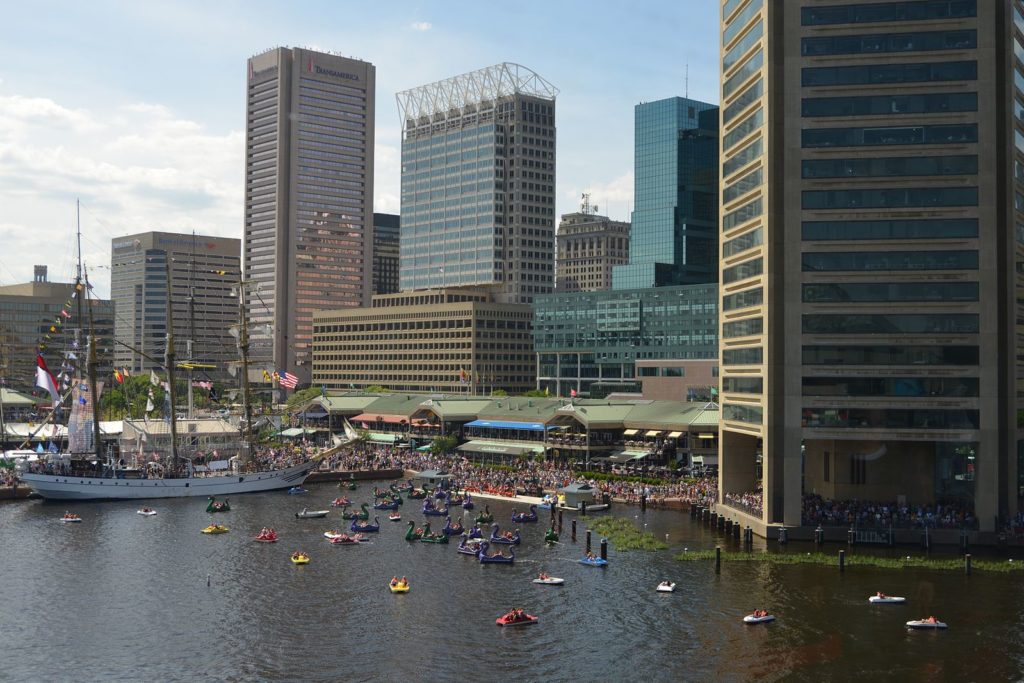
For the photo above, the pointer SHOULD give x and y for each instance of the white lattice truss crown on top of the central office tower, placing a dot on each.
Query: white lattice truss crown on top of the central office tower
(477, 89)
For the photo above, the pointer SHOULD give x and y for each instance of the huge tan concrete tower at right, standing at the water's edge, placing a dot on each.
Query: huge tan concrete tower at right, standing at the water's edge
(871, 268)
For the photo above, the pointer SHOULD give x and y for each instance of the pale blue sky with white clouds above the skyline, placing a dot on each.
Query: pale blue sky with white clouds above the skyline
(138, 109)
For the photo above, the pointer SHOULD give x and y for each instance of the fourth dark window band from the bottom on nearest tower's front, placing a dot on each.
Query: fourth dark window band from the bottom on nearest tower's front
(910, 324)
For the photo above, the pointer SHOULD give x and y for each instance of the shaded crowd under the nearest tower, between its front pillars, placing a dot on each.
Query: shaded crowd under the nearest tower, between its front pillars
(873, 515)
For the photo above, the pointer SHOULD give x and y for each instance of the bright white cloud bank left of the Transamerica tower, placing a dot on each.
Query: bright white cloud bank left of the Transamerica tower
(136, 168)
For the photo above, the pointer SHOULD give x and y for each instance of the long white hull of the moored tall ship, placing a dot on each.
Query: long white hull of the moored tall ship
(61, 488)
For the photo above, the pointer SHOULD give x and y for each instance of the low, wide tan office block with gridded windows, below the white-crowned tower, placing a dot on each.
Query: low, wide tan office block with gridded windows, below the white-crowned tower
(455, 340)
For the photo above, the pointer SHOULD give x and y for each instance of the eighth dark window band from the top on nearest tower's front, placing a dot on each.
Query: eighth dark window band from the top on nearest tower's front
(937, 229)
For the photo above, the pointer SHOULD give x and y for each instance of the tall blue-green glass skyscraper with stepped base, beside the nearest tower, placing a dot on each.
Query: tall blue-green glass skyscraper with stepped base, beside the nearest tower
(673, 240)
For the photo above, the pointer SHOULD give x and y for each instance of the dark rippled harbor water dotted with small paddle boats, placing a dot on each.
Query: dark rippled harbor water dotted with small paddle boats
(122, 597)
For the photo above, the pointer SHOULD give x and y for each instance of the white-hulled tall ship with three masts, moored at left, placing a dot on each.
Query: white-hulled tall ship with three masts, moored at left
(86, 474)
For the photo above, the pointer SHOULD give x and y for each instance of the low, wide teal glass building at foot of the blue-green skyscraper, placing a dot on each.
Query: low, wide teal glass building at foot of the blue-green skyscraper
(590, 343)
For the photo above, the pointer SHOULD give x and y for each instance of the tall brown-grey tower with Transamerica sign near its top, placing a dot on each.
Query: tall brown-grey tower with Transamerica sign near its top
(310, 188)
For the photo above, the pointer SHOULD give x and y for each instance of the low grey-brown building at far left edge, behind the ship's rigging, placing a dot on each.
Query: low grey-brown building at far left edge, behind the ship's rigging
(32, 312)
